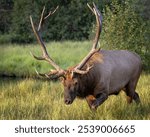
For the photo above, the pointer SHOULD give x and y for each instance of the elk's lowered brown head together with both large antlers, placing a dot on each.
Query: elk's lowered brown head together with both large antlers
(71, 76)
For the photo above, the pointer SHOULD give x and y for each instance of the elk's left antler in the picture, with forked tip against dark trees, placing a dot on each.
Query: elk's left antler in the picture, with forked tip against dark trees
(54, 73)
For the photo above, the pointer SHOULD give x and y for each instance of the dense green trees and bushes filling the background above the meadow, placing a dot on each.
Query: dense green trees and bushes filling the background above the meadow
(126, 23)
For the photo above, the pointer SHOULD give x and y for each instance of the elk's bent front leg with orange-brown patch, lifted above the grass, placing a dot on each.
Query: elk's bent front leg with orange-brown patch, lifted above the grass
(94, 102)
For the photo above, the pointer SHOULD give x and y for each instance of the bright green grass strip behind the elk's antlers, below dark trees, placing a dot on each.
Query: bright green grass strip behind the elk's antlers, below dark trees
(15, 60)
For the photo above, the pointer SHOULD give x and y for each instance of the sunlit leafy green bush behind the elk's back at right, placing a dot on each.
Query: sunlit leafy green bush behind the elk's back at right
(125, 28)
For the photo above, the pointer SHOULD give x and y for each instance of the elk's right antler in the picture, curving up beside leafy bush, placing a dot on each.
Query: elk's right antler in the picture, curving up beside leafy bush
(78, 68)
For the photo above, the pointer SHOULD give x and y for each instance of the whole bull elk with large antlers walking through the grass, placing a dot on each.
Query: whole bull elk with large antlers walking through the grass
(100, 74)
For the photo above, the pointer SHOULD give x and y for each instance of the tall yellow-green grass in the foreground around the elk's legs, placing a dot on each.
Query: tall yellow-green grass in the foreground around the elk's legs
(34, 99)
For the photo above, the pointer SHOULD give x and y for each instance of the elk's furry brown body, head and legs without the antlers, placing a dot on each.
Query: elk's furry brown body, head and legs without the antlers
(95, 86)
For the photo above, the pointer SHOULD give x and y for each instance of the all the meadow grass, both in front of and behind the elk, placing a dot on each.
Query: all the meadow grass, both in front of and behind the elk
(39, 99)
